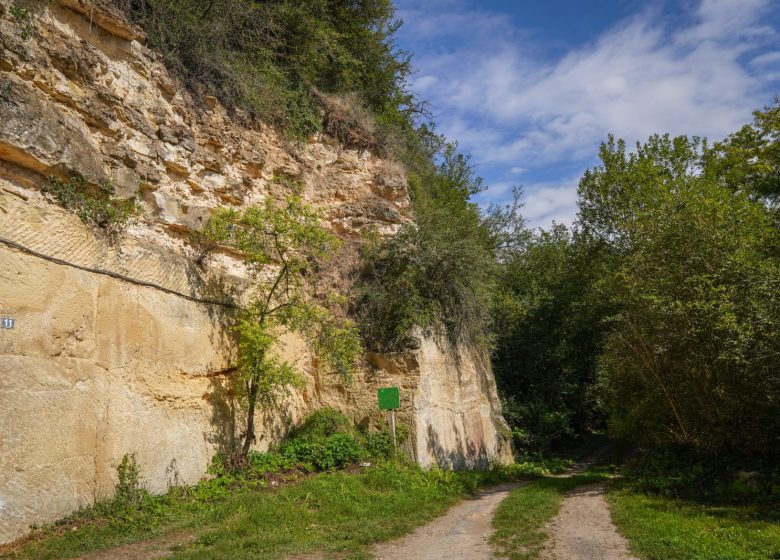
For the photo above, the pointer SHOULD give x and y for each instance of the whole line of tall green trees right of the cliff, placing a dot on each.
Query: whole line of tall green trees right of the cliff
(657, 314)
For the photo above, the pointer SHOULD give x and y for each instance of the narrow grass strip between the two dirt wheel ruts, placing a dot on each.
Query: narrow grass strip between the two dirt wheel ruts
(520, 519)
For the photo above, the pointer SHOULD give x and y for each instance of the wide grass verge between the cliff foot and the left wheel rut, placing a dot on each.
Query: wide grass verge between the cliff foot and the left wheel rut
(340, 513)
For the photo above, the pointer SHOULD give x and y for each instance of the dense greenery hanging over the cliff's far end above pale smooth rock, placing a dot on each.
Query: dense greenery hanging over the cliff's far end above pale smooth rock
(438, 271)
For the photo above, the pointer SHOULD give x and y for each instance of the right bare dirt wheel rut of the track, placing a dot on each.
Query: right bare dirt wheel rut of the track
(583, 529)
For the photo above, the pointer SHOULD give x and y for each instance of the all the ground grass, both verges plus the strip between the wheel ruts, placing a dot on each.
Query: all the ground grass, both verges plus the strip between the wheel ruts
(343, 514)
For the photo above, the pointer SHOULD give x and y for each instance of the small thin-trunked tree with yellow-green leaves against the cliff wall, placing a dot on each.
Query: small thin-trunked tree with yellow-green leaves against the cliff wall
(281, 246)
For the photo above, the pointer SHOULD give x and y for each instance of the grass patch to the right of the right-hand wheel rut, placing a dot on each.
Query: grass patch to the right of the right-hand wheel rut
(660, 528)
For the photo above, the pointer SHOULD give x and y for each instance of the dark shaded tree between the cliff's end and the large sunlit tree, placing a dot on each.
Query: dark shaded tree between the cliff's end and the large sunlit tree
(548, 328)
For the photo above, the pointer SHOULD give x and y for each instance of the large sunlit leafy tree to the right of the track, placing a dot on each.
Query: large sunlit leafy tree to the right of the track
(692, 352)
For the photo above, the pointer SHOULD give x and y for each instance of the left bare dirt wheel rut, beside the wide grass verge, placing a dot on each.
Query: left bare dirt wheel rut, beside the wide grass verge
(463, 532)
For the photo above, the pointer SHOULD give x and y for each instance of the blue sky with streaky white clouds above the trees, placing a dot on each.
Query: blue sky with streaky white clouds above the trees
(531, 88)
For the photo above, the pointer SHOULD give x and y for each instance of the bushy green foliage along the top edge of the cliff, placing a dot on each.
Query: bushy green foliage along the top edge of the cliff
(266, 58)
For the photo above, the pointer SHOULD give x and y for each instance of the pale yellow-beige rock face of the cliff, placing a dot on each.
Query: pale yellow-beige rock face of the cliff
(121, 347)
